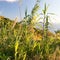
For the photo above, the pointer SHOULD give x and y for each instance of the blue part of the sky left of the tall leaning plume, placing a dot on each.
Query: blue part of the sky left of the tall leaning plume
(11, 8)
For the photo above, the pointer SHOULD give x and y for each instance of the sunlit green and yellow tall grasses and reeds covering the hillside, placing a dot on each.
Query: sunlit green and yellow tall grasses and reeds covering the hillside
(24, 41)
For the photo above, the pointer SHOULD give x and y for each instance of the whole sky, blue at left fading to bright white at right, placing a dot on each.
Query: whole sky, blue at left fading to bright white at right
(12, 9)
